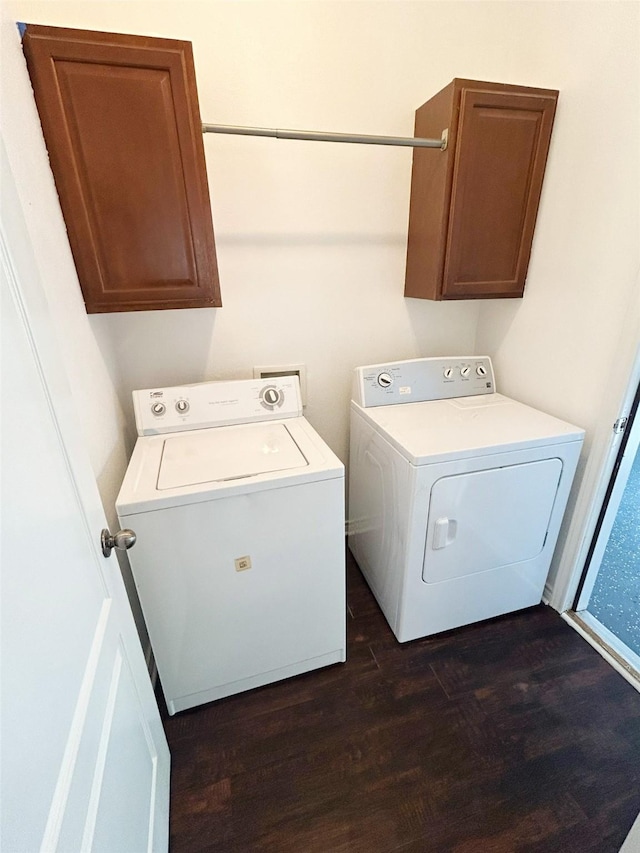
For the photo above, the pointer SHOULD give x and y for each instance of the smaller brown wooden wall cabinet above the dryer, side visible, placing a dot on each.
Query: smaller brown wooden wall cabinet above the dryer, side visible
(473, 206)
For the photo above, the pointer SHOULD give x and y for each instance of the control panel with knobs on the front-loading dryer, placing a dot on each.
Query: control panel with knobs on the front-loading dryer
(422, 379)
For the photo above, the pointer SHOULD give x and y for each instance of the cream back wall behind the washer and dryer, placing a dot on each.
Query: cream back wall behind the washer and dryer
(311, 237)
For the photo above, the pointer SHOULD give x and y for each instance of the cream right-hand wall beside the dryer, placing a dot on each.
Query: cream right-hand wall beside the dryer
(567, 347)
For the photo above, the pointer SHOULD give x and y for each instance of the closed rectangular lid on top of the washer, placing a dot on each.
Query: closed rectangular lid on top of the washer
(227, 453)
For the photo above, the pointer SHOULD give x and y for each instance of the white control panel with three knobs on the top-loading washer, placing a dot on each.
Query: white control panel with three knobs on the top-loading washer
(210, 404)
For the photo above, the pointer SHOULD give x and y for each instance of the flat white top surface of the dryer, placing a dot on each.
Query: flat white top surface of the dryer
(441, 430)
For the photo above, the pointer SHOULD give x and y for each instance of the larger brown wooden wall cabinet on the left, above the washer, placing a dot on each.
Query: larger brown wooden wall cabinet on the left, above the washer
(122, 125)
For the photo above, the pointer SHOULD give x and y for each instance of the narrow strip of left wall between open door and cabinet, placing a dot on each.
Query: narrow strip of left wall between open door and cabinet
(90, 360)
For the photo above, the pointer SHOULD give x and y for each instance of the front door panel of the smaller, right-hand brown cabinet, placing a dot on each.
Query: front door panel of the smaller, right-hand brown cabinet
(501, 151)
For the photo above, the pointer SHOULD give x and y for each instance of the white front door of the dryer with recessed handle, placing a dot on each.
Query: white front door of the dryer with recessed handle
(483, 520)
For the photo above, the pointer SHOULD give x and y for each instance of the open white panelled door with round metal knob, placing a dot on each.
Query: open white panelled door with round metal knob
(85, 764)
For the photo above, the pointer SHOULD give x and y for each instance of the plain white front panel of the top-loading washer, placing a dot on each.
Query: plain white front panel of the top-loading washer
(242, 591)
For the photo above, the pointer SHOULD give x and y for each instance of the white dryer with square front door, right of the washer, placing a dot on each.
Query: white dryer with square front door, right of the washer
(456, 493)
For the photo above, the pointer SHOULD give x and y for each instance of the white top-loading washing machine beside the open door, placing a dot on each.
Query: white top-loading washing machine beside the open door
(238, 507)
